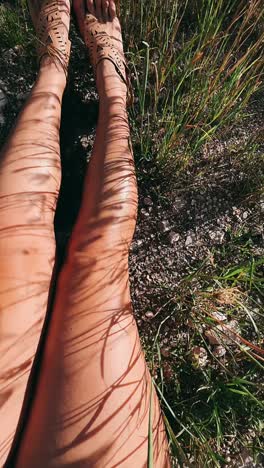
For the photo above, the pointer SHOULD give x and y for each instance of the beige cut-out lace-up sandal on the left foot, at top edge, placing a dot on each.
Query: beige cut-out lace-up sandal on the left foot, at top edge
(48, 17)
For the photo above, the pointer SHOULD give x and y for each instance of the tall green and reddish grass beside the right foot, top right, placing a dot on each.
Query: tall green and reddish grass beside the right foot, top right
(195, 66)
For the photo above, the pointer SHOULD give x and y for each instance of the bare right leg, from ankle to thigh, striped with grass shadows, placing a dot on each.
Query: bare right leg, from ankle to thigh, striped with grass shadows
(92, 404)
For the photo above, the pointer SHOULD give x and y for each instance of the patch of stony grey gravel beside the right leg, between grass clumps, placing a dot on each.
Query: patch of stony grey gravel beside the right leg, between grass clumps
(176, 233)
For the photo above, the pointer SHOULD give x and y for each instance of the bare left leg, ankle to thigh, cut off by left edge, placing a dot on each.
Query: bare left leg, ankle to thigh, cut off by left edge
(29, 185)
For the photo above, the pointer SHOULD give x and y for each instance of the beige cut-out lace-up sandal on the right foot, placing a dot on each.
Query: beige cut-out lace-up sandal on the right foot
(101, 46)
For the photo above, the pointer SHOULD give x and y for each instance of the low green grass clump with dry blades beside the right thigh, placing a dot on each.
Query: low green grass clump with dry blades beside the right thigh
(208, 406)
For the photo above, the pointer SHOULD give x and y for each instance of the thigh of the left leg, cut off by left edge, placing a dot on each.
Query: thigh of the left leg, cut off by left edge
(27, 250)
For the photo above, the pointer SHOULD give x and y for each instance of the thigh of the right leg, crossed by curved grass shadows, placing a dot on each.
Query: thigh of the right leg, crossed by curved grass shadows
(94, 392)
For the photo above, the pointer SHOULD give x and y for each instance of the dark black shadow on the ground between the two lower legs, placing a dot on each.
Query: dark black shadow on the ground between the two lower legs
(77, 128)
